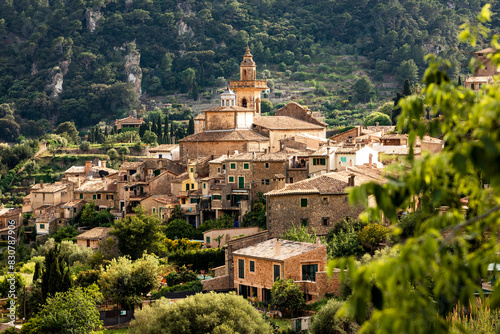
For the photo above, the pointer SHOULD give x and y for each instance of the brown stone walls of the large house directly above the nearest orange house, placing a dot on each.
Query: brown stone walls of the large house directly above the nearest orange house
(285, 211)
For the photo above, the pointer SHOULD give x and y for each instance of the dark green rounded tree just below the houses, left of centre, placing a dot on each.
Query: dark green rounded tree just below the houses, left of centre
(138, 234)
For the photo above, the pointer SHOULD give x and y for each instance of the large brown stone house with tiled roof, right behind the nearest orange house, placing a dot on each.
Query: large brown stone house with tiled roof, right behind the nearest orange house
(318, 202)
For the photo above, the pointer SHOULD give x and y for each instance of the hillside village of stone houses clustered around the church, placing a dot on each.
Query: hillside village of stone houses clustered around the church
(236, 158)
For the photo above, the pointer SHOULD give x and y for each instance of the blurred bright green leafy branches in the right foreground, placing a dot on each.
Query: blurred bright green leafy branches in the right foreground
(443, 248)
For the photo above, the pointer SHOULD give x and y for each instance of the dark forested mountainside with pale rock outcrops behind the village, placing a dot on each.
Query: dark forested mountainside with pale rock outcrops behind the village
(89, 60)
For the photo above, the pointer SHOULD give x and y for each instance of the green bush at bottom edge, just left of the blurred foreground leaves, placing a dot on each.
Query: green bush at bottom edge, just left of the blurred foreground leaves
(326, 322)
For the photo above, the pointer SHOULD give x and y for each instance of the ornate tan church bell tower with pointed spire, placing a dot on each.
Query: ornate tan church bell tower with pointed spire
(248, 89)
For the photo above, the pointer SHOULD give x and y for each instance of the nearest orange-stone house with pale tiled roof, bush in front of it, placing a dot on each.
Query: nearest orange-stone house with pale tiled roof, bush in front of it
(257, 267)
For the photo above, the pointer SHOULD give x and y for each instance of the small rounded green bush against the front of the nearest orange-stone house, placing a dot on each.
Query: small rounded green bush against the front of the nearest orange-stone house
(287, 297)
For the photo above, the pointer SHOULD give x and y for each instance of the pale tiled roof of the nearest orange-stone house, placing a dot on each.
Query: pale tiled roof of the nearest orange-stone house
(287, 249)
